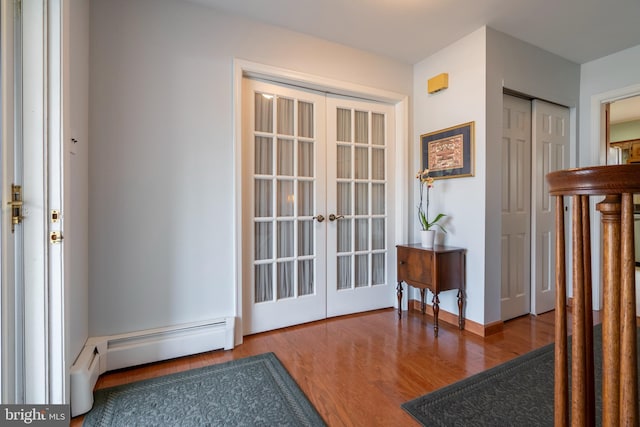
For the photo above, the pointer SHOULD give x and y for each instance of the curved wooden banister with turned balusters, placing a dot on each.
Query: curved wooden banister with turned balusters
(620, 377)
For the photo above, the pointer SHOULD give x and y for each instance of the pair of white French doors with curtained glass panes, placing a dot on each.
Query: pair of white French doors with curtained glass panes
(315, 206)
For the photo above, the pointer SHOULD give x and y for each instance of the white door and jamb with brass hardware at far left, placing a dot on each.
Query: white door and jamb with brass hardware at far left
(33, 336)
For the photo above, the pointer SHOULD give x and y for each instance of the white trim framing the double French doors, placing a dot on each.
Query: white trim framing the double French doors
(252, 69)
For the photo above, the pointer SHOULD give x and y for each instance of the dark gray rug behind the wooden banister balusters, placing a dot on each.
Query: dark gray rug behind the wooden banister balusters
(516, 393)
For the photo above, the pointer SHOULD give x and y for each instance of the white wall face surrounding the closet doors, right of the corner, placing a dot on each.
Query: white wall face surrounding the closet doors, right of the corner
(516, 65)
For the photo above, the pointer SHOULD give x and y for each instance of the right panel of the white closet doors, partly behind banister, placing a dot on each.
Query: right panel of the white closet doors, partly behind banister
(551, 152)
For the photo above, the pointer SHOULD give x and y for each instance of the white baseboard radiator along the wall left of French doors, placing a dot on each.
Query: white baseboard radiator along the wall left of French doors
(102, 354)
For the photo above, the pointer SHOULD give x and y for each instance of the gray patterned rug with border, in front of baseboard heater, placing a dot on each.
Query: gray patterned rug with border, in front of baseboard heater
(255, 391)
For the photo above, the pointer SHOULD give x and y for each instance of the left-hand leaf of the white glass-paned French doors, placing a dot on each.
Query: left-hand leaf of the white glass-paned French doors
(284, 152)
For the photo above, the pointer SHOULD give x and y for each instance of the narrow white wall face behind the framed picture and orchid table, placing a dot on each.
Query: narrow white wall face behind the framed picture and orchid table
(461, 199)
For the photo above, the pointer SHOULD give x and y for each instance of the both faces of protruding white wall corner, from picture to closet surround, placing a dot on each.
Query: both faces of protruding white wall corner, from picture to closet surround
(480, 66)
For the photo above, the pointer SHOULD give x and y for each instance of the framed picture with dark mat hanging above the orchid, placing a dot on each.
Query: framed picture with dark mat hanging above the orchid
(449, 153)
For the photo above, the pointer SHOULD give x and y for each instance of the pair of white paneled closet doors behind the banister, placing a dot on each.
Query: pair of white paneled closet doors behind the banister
(535, 142)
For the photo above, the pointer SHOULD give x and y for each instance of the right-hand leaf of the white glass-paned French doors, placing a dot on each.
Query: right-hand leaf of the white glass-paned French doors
(359, 193)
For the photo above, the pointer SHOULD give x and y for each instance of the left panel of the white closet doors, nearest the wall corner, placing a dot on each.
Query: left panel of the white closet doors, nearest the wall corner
(516, 207)
